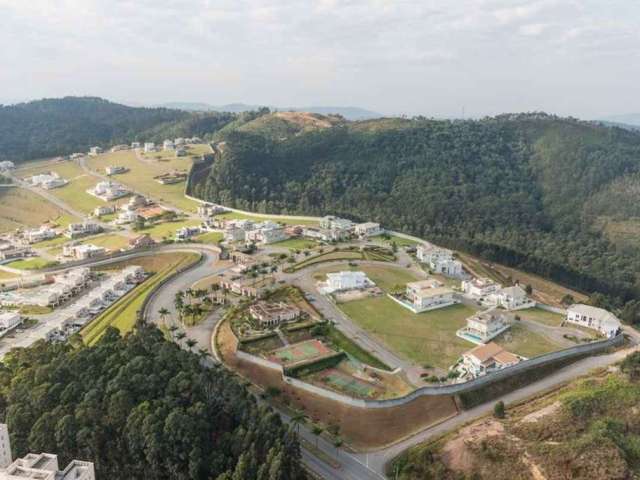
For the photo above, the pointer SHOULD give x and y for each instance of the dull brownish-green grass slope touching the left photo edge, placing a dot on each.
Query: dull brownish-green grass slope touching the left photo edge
(22, 208)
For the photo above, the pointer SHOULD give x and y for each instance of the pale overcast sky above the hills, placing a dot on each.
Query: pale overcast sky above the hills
(430, 57)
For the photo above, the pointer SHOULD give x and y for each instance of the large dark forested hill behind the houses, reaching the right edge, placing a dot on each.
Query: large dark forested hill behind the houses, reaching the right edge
(528, 190)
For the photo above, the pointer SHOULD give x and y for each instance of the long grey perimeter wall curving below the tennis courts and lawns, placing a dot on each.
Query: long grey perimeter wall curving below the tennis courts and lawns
(453, 389)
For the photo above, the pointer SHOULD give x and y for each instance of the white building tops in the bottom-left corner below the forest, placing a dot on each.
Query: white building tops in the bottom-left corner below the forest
(41, 466)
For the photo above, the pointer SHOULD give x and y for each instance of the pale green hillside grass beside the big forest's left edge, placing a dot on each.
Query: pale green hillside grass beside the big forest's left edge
(141, 173)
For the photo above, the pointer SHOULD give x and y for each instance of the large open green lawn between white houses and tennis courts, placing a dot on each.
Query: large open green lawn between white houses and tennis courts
(425, 338)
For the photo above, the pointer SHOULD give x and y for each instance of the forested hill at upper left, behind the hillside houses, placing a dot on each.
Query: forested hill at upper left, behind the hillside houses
(53, 127)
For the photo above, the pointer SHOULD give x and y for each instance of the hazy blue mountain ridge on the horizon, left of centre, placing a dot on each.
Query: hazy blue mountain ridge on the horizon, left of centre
(350, 113)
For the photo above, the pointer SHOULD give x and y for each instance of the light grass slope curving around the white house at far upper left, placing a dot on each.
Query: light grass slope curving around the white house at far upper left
(74, 193)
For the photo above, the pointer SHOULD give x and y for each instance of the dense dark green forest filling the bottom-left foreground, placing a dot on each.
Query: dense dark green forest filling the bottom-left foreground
(142, 408)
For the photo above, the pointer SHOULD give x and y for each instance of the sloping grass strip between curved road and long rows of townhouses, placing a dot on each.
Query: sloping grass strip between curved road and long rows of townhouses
(122, 314)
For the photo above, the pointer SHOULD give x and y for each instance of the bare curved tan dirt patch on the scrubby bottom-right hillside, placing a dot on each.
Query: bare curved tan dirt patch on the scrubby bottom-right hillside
(457, 453)
